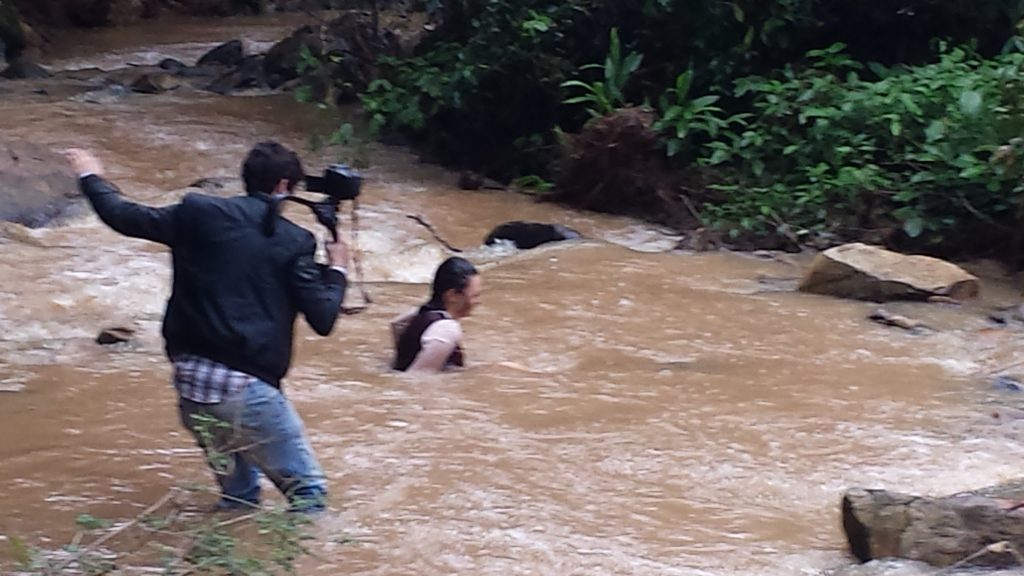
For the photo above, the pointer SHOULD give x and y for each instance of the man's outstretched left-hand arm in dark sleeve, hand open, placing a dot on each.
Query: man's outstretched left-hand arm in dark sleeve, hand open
(122, 216)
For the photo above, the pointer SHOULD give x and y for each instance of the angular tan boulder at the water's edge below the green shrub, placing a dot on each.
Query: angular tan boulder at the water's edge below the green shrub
(869, 273)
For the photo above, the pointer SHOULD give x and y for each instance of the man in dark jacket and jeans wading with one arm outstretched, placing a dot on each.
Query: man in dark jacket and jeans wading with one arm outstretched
(238, 289)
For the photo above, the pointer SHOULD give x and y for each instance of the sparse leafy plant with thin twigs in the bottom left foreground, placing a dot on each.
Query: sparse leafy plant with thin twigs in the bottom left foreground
(172, 539)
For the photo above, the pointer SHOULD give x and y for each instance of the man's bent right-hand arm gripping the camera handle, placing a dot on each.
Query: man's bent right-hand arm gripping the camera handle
(319, 291)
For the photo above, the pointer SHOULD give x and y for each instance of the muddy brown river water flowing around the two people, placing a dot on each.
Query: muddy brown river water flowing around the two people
(627, 409)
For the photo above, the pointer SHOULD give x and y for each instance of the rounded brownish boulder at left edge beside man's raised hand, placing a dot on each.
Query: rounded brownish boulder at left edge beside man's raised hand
(36, 184)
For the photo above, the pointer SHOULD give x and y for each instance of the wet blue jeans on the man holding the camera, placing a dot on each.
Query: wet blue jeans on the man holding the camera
(257, 430)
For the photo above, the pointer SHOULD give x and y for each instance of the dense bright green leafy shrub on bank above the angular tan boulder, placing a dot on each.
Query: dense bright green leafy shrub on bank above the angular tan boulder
(929, 150)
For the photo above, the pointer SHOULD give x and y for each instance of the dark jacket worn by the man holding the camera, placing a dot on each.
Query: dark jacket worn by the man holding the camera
(237, 293)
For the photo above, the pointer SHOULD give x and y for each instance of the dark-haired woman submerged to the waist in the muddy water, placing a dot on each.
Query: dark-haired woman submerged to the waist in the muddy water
(430, 339)
